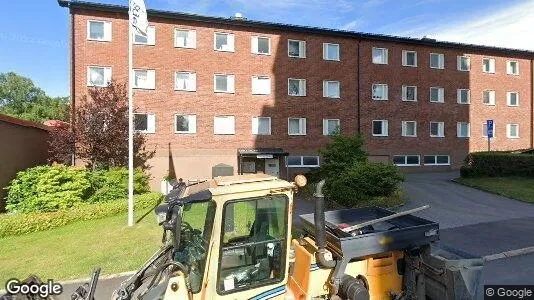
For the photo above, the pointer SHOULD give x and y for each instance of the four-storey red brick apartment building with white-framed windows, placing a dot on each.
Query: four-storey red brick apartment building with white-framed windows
(263, 97)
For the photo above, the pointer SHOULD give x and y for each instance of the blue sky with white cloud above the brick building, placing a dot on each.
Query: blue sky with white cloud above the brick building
(34, 33)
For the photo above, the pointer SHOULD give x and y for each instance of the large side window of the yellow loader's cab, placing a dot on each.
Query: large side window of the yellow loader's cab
(253, 243)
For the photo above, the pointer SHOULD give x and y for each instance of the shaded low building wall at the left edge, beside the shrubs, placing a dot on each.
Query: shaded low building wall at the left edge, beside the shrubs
(21, 147)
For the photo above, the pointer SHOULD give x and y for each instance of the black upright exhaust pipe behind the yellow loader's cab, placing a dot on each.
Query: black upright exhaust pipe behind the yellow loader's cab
(320, 231)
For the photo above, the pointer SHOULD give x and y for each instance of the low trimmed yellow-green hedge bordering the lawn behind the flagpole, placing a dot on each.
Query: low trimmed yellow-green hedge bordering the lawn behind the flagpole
(16, 224)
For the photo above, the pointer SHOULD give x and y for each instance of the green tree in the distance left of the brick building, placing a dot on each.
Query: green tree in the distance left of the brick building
(19, 97)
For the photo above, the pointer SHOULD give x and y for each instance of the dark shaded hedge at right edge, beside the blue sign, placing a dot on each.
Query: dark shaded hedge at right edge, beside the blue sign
(481, 164)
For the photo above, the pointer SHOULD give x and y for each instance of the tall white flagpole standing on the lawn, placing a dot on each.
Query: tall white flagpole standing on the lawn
(130, 121)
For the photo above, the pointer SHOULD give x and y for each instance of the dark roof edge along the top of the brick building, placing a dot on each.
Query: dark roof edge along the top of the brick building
(294, 28)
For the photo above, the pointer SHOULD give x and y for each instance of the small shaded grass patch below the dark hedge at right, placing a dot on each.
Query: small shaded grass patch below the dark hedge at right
(519, 188)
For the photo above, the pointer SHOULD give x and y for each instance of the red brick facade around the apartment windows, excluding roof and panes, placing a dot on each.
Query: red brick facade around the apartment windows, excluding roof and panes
(195, 154)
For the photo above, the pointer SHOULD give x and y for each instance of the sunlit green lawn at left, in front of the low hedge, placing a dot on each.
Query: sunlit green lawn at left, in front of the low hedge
(72, 251)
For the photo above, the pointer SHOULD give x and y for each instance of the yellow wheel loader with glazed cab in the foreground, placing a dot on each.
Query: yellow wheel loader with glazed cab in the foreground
(231, 238)
